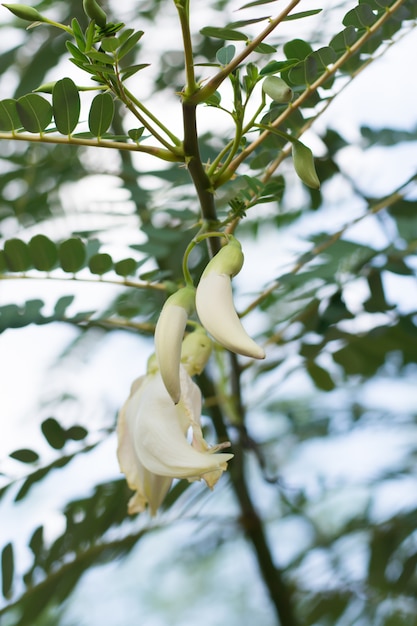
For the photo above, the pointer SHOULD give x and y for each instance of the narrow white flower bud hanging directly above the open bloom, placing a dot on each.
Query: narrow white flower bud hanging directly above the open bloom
(169, 333)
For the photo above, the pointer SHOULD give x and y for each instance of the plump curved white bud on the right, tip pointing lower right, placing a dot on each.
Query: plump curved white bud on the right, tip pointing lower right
(214, 302)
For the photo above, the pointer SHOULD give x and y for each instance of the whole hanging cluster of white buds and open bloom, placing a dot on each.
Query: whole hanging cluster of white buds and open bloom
(159, 427)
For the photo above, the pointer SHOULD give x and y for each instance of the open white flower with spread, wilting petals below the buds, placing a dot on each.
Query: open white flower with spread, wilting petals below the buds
(153, 447)
